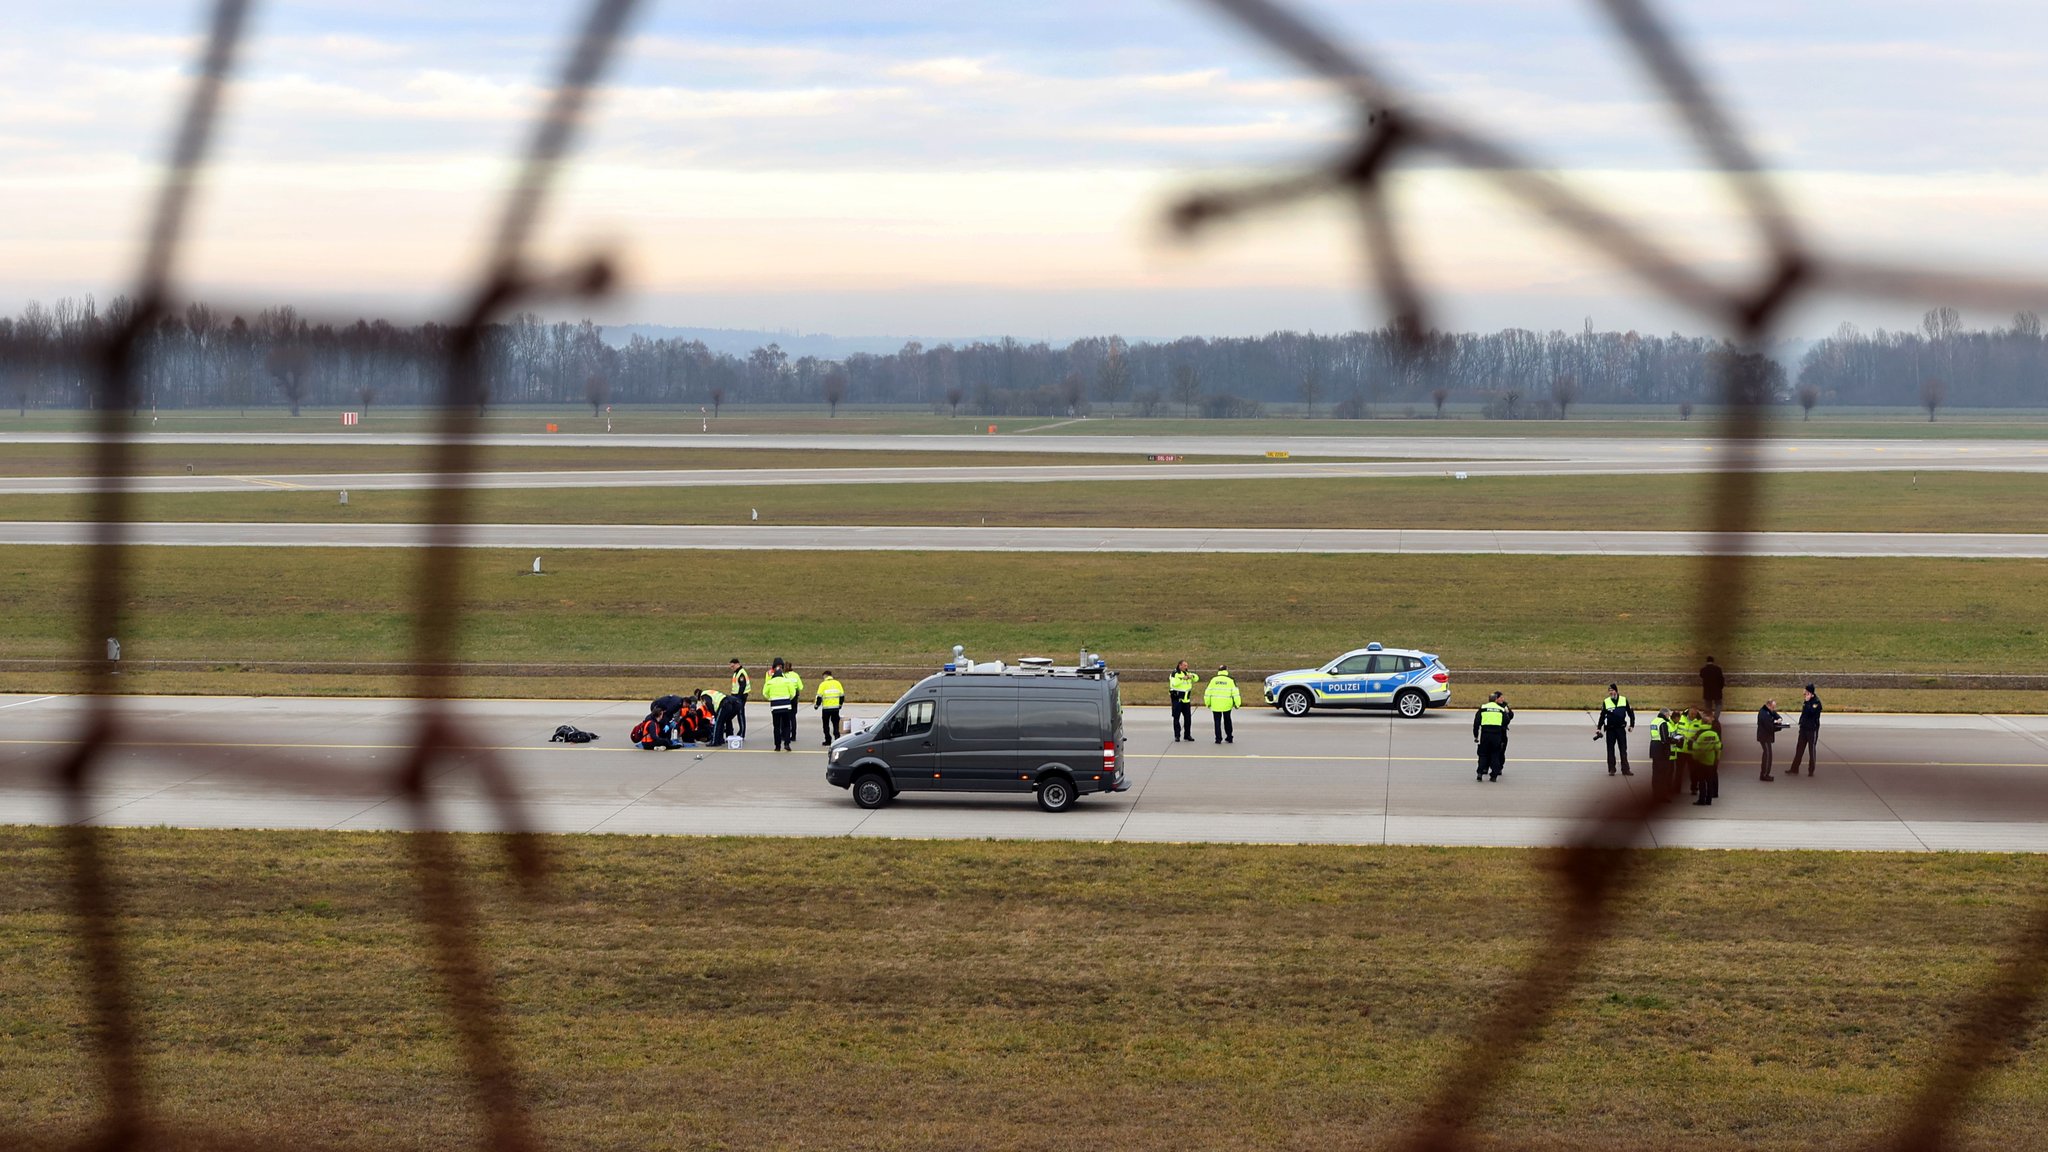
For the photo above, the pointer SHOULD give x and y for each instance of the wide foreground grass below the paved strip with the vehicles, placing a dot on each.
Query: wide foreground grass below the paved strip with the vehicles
(679, 993)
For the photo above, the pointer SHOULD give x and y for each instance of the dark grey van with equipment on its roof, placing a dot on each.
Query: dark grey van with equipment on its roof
(1025, 729)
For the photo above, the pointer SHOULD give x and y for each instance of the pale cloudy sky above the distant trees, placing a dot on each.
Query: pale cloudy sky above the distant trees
(951, 171)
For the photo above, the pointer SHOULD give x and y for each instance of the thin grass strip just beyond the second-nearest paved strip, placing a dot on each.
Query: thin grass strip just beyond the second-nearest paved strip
(1877, 501)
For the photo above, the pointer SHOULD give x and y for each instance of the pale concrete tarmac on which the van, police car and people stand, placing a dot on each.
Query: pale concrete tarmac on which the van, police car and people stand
(1885, 784)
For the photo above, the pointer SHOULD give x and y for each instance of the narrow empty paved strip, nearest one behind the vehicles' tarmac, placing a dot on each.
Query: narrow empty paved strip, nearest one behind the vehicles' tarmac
(912, 538)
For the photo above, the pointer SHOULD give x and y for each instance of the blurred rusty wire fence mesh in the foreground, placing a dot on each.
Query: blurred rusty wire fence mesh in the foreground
(1392, 128)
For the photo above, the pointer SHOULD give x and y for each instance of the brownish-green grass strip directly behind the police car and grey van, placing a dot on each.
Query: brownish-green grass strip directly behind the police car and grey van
(1144, 612)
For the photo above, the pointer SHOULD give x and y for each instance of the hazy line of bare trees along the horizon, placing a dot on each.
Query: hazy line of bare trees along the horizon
(204, 358)
